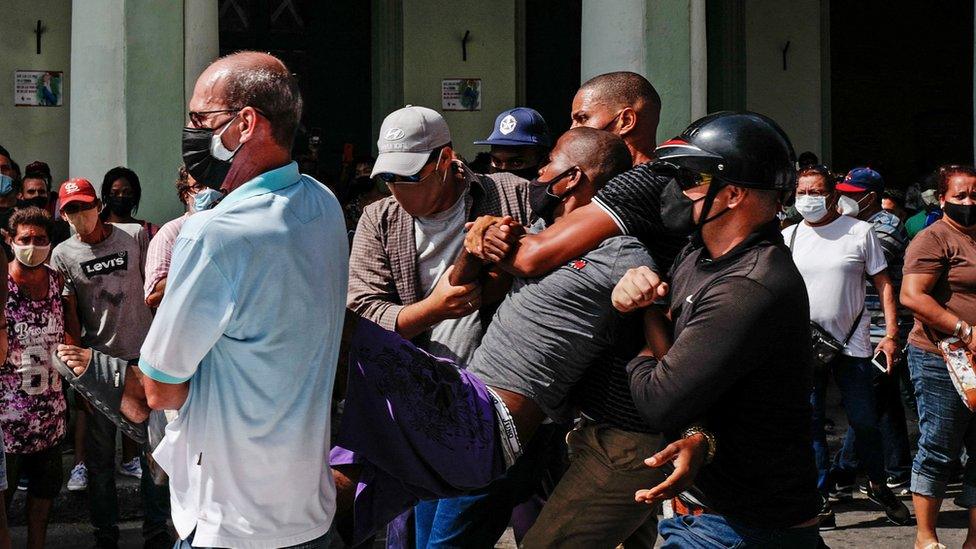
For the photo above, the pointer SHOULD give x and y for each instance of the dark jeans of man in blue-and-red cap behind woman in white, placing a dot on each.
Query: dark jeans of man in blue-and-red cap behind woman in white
(894, 432)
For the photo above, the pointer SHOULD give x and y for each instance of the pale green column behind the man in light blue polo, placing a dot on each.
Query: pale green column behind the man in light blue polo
(131, 88)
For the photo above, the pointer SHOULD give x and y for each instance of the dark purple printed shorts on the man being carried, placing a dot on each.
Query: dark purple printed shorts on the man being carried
(421, 428)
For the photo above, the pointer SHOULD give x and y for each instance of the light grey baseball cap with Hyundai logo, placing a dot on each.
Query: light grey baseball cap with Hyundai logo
(407, 137)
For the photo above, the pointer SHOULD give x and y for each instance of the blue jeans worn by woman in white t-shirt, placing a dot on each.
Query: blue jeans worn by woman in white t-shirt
(855, 378)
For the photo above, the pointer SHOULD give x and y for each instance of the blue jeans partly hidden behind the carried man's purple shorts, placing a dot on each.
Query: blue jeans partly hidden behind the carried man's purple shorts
(479, 519)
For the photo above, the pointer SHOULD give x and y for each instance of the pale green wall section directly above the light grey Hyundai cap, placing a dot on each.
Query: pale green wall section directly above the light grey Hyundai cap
(432, 34)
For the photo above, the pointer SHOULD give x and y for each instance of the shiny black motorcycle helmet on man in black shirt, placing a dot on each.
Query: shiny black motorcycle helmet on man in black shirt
(745, 149)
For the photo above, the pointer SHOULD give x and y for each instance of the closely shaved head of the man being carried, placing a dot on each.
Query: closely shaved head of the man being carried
(601, 154)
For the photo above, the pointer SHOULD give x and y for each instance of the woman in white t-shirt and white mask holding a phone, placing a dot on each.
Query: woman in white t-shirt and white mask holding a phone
(835, 254)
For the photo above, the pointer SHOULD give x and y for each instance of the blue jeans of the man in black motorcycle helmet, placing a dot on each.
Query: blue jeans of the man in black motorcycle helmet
(713, 531)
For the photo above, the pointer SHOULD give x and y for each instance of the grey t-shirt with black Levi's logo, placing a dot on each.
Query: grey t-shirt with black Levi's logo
(106, 279)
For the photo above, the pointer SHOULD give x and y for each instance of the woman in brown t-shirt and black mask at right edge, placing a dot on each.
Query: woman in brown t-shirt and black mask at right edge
(939, 287)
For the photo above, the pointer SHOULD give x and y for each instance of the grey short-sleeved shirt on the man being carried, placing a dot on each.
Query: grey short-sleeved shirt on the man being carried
(549, 330)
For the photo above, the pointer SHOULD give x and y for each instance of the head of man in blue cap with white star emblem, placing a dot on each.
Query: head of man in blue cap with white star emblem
(519, 142)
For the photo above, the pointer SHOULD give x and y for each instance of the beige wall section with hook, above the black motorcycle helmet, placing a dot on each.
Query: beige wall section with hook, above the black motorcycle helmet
(791, 97)
